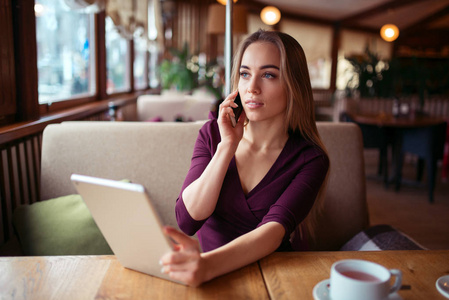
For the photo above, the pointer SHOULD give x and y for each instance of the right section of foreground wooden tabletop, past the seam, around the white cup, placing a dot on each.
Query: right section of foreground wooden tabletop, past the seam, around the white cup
(294, 275)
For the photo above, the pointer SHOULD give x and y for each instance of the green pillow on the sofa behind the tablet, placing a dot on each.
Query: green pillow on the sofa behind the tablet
(60, 226)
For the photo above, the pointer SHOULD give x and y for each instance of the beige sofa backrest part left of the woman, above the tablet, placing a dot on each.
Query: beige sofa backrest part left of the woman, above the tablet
(154, 154)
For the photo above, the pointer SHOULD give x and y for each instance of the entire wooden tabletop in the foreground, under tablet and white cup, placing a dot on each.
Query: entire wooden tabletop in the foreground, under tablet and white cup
(290, 275)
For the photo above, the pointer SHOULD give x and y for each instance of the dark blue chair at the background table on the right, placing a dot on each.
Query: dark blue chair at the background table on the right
(428, 144)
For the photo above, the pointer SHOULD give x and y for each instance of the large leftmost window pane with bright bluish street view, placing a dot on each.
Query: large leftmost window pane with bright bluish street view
(65, 48)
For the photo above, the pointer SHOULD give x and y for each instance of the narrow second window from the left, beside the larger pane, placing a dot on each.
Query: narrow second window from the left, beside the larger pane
(117, 60)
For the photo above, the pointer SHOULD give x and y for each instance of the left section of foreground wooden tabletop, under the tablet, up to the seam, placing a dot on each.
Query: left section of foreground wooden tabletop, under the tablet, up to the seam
(102, 277)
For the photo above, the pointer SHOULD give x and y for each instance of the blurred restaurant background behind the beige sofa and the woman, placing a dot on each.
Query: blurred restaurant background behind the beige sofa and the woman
(381, 64)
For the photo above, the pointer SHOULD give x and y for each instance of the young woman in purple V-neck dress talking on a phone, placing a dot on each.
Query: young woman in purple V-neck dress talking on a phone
(250, 186)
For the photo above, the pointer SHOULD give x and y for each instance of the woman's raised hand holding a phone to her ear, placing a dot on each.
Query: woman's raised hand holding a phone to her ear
(229, 134)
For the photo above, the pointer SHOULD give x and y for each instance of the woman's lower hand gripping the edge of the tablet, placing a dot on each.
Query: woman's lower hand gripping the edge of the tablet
(184, 263)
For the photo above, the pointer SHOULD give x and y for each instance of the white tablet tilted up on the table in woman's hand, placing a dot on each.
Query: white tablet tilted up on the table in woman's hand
(129, 222)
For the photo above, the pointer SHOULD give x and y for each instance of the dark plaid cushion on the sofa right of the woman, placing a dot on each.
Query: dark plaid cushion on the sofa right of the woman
(381, 237)
